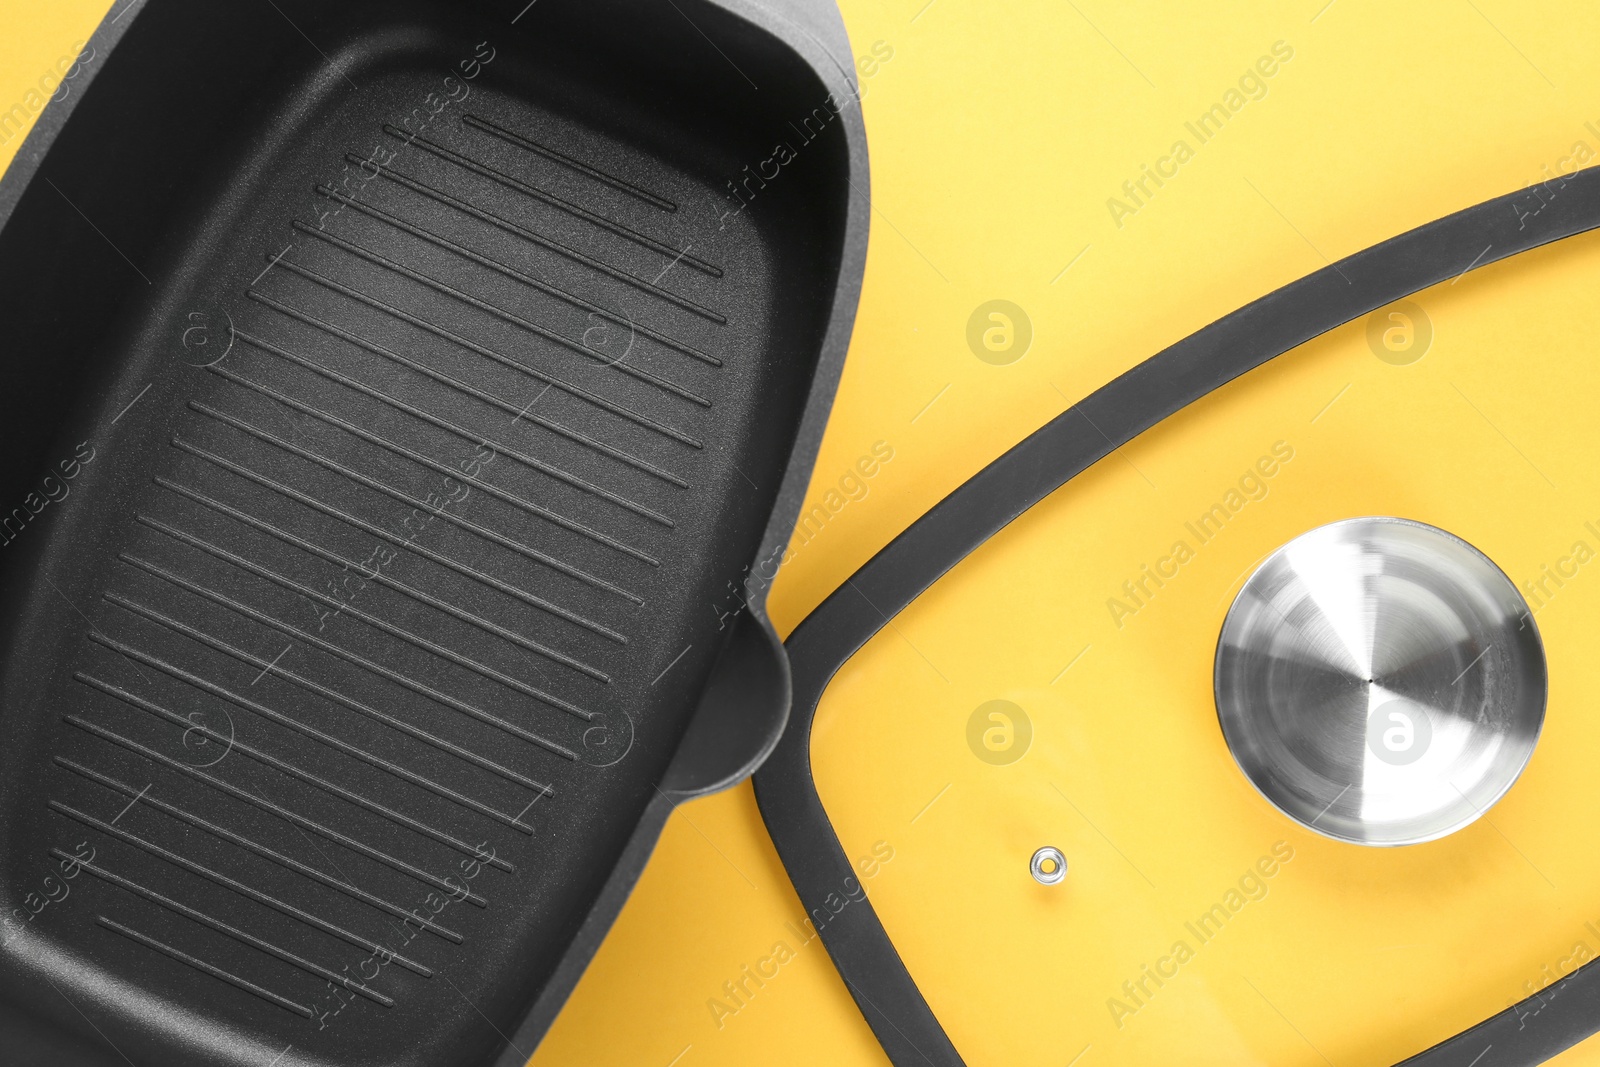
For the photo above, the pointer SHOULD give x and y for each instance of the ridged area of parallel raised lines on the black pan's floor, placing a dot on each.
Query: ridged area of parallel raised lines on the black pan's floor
(175, 849)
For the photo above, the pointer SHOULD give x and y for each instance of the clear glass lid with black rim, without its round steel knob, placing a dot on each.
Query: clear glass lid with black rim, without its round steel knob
(1054, 690)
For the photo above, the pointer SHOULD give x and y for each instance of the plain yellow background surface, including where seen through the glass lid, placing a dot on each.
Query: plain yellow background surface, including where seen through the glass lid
(998, 132)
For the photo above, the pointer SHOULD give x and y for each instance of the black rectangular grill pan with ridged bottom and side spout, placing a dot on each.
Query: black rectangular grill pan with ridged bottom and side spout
(398, 399)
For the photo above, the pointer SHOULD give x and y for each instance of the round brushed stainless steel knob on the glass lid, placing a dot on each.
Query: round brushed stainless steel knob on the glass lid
(1380, 682)
